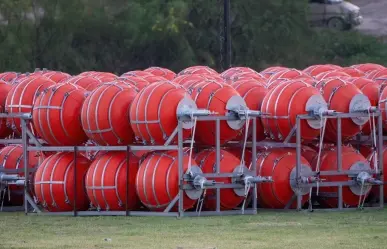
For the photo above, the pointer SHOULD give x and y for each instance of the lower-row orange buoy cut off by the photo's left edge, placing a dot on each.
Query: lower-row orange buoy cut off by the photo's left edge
(11, 159)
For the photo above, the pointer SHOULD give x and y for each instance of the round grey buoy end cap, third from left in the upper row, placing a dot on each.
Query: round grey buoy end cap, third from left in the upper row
(316, 104)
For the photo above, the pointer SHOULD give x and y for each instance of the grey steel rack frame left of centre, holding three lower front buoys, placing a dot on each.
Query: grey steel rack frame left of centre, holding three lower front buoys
(31, 143)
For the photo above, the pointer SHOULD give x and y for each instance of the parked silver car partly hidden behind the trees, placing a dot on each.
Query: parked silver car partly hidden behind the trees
(334, 14)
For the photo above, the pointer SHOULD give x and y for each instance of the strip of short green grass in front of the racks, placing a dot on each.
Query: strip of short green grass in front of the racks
(333, 230)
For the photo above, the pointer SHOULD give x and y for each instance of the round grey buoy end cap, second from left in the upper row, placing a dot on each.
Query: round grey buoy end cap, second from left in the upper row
(234, 105)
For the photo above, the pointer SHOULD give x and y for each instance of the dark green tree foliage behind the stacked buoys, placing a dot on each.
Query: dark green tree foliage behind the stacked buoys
(122, 35)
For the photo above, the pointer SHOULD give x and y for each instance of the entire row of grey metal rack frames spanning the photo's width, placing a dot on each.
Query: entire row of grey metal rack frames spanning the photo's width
(30, 143)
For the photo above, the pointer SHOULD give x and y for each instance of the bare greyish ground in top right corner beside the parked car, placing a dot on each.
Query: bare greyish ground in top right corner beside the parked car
(375, 17)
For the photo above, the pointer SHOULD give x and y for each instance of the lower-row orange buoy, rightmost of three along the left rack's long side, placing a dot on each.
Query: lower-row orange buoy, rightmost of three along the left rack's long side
(157, 181)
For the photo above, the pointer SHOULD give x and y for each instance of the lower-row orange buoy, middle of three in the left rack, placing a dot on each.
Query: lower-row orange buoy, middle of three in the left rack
(106, 181)
